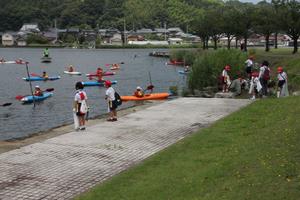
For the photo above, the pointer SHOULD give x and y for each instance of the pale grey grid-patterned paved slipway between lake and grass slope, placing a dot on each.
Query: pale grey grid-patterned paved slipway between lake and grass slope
(65, 166)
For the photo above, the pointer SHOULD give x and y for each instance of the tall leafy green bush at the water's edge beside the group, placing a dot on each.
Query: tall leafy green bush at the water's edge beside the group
(207, 69)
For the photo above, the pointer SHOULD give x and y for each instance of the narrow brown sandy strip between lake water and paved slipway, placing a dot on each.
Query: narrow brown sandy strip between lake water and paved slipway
(8, 145)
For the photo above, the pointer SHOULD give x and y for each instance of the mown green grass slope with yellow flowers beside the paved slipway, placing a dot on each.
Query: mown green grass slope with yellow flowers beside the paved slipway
(251, 154)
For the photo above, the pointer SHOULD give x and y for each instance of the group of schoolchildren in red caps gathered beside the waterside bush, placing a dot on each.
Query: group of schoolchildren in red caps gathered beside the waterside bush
(256, 81)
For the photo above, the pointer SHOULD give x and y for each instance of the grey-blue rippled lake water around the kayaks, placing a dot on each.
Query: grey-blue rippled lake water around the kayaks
(18, 120)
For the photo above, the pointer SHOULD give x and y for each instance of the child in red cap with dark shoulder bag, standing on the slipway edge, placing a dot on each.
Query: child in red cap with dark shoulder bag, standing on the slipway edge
(110, 97)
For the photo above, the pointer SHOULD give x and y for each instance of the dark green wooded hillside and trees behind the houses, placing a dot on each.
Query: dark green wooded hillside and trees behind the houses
(209, 19)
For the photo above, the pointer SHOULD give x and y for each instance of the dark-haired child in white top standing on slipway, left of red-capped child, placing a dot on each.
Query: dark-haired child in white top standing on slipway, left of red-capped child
(80, 105)
